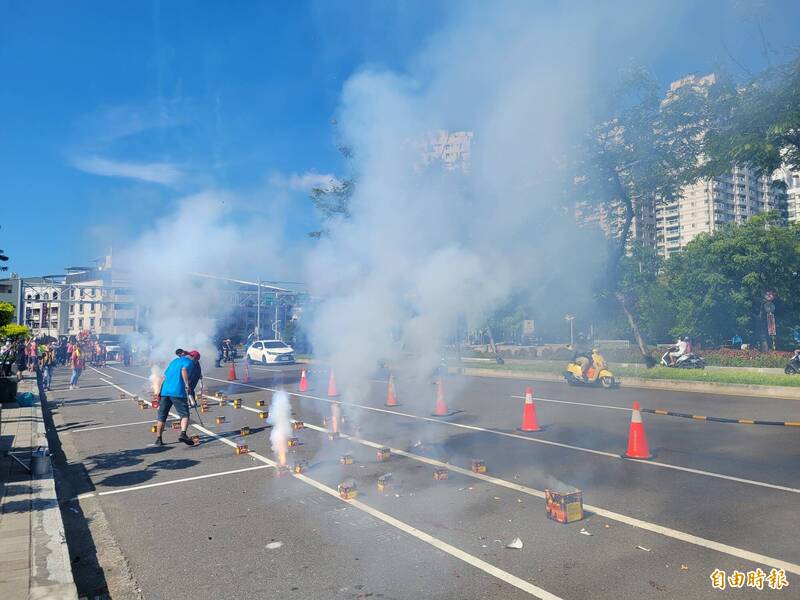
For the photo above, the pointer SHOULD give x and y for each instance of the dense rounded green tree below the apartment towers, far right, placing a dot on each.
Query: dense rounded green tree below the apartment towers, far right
(718, 282)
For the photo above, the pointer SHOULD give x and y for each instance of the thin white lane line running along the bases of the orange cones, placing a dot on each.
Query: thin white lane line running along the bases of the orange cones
(615, 456)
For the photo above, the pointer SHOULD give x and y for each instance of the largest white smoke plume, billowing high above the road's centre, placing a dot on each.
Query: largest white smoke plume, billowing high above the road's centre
(425, 246)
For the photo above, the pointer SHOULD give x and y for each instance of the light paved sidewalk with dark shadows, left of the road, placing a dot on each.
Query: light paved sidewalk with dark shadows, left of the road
(34, 562)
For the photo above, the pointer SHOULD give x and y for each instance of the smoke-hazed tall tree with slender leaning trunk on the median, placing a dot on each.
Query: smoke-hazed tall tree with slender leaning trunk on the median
(641, 149)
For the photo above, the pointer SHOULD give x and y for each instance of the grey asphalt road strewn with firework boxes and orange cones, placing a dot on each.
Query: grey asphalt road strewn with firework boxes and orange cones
(204, 522)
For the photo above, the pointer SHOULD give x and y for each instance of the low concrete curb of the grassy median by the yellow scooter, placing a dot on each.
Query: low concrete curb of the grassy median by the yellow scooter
(728, 389)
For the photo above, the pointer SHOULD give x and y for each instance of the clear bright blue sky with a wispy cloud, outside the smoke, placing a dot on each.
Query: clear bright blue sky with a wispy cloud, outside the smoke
(112, 111)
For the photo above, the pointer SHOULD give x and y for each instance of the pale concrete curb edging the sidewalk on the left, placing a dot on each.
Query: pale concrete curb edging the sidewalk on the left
(51, 571)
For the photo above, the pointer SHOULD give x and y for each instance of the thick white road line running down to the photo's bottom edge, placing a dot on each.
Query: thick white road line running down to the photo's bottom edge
(413, 531)
